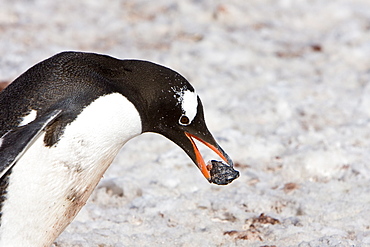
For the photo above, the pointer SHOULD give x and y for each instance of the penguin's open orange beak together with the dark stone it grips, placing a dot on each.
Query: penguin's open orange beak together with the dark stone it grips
(214, 172)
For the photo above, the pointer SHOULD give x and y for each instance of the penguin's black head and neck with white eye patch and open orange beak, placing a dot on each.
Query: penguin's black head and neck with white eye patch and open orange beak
(171, 107)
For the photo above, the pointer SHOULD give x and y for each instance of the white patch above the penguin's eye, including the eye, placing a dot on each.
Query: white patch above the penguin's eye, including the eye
(189, 105)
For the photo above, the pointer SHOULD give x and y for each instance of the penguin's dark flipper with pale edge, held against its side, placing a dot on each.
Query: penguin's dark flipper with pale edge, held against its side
(16, 142)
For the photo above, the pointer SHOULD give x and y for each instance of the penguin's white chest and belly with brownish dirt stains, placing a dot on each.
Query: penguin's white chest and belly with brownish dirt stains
(48, 186)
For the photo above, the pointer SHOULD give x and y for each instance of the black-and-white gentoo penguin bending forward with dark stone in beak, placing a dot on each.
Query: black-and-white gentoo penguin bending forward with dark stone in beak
(64, 120)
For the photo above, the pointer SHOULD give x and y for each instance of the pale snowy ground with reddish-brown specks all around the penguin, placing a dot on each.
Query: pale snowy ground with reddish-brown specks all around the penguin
(286, 89)
